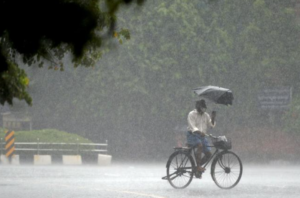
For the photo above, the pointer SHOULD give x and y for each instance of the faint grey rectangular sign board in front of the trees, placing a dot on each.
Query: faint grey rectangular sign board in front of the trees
(275, 98)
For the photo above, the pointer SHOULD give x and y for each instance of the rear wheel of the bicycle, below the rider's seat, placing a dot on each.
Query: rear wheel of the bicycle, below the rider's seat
(180, 168)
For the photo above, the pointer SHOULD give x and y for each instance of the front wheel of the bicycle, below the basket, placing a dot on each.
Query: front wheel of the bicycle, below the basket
(226, 170)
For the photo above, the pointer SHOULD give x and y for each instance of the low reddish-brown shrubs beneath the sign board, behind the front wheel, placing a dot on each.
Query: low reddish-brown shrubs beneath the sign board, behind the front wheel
(265, 144)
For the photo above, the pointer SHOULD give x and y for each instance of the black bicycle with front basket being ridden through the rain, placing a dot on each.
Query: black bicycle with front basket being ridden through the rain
(226, 167)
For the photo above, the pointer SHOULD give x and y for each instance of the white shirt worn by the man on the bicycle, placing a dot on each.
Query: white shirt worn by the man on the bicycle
(198, 122)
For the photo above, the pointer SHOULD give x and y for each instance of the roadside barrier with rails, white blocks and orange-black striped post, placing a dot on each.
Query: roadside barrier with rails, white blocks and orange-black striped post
(71, 152)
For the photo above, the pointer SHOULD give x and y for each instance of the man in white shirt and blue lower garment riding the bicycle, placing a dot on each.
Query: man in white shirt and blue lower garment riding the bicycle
(198, 122)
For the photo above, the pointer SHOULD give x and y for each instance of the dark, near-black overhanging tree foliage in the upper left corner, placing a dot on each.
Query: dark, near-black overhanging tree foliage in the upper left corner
(45, 31)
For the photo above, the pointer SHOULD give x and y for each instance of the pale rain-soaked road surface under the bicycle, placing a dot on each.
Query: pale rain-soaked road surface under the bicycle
(140, 181)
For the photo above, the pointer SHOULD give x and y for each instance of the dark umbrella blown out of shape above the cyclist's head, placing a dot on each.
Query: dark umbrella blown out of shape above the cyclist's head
(216, 94)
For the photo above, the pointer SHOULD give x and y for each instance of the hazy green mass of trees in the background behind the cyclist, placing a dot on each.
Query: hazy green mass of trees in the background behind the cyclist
(144, 89)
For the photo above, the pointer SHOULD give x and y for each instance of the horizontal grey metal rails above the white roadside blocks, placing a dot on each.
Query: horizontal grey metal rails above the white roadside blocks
(57, 147)
